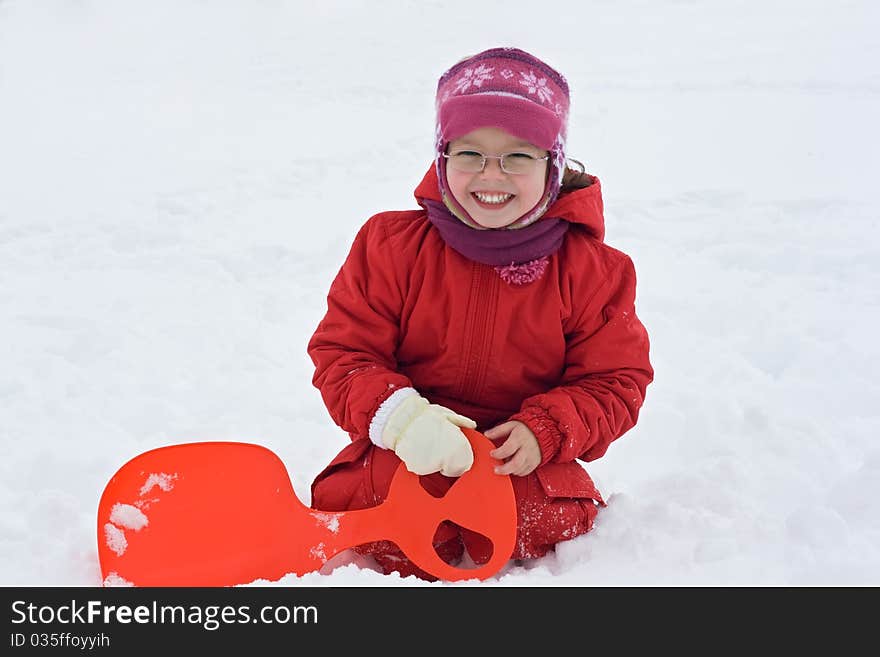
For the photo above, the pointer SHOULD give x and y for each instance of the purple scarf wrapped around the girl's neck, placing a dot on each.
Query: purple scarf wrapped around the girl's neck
(501, 248)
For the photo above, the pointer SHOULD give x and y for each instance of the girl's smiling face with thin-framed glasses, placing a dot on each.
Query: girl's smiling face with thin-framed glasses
(492, 197)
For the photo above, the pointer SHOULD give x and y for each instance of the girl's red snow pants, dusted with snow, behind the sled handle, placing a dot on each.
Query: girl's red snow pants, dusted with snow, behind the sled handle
(556, 502)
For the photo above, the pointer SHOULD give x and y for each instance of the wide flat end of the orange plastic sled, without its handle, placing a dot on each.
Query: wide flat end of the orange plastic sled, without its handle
(198, 514)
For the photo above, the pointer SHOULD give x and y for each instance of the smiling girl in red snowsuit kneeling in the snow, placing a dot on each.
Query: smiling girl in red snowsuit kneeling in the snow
(495, 306)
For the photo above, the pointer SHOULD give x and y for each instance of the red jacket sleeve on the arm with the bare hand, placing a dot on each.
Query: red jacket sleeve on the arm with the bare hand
(607, 371)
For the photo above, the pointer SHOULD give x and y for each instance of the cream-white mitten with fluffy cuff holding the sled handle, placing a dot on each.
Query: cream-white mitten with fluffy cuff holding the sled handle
(427, 437)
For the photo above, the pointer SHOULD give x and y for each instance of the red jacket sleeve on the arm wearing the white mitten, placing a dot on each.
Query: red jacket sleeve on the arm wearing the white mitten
(354, 345)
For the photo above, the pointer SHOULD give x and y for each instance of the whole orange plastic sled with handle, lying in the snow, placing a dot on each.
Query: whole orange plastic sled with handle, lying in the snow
(225, 513)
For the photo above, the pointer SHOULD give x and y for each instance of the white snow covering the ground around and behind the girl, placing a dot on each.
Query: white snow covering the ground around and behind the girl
(180, 181)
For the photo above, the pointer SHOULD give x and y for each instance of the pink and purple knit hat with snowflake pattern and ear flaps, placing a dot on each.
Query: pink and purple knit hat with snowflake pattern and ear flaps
(510, 89)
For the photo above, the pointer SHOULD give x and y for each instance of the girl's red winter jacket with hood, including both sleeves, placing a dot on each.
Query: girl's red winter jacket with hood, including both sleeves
(565, 354)
